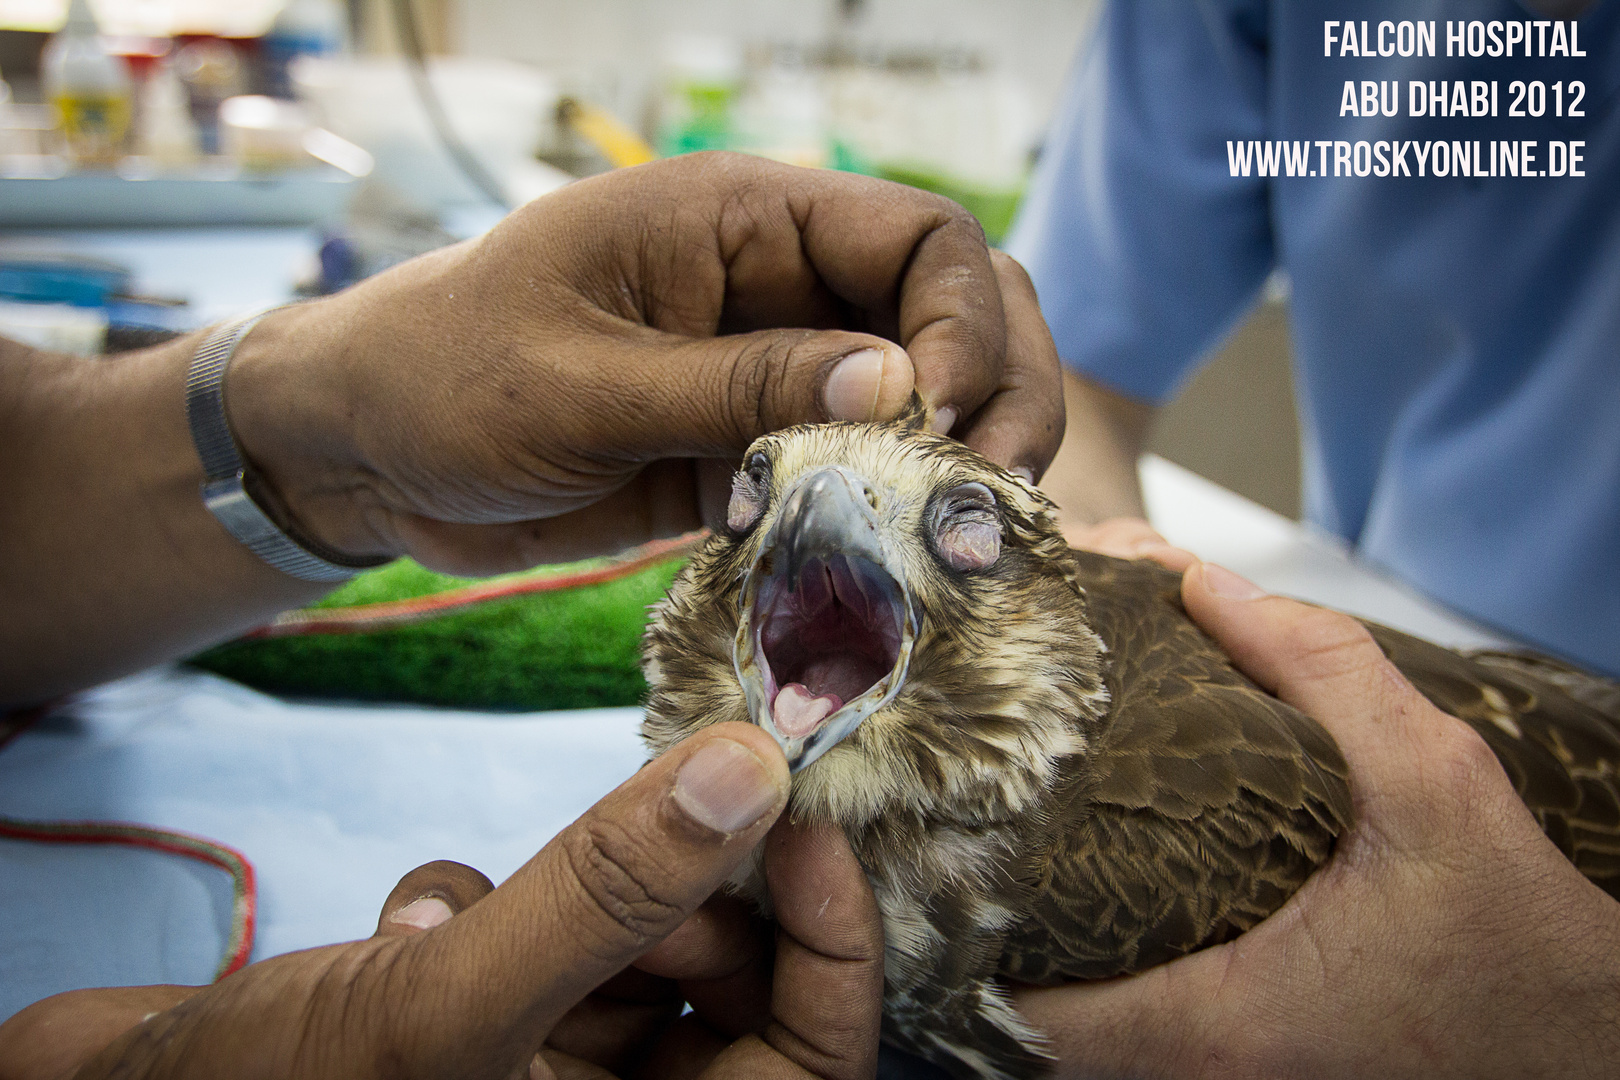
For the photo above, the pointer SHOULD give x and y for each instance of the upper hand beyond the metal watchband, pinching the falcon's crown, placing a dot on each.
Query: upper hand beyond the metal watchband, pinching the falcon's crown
(544, 393)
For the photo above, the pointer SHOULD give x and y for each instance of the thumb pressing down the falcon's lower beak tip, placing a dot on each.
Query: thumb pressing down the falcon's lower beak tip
(605, 891)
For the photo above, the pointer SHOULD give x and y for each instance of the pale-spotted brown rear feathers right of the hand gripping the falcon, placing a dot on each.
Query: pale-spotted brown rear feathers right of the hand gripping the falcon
(1554, 728)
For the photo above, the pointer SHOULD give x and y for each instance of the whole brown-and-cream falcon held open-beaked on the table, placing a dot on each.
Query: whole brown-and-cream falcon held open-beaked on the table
(1046, 768)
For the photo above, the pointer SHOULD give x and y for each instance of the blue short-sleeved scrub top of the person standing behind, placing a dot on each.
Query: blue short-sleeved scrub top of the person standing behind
(1457, 339)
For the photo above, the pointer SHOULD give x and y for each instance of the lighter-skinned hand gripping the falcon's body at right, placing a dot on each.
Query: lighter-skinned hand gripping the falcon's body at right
(1446, 938)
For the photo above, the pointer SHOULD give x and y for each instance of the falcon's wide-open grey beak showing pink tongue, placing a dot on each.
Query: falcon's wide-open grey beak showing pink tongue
(827, 624)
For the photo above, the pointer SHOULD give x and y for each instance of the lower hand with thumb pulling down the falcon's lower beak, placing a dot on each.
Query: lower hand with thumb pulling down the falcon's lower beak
(469, 982)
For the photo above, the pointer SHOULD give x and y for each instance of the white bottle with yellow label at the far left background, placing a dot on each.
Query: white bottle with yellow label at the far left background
(90, 90)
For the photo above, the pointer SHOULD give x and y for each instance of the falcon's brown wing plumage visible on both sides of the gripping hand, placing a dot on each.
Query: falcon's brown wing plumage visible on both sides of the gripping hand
(1206, 804)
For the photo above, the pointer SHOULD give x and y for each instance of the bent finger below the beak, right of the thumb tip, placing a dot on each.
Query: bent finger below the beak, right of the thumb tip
(827, 998)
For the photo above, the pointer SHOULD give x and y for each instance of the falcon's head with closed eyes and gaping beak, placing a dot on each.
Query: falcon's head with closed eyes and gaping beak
(898, 613)
